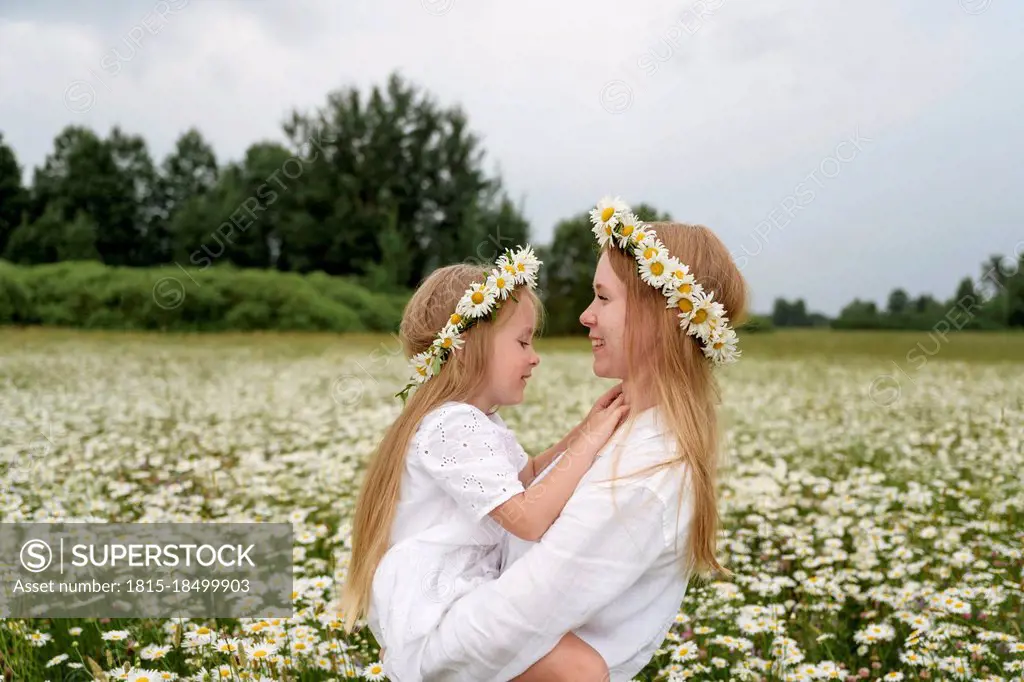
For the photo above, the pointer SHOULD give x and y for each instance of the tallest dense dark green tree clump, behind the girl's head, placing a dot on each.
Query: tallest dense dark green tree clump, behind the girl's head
(391, 173)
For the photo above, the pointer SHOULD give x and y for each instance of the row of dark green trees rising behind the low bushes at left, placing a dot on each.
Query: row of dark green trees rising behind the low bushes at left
(386, 187)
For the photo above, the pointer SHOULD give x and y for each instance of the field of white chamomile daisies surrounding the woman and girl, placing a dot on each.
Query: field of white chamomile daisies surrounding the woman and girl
(872, 495)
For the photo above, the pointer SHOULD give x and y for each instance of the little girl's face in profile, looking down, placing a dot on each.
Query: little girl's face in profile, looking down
(514, 357)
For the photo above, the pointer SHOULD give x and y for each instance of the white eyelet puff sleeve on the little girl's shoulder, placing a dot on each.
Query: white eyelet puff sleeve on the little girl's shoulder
(465, 454)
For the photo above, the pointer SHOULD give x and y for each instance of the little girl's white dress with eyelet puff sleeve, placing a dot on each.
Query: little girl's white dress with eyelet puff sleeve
(461, 464)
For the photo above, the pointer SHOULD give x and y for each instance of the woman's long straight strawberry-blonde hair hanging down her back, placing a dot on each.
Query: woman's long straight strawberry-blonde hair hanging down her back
(678, 373)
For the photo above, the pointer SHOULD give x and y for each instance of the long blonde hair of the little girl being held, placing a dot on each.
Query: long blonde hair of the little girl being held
(462, 377)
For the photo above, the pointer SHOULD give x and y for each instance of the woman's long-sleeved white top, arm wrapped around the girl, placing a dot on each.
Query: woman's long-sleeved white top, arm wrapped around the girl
(609, 570)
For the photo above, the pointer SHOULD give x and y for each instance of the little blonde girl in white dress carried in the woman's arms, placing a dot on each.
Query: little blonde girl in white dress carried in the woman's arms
(449, 480)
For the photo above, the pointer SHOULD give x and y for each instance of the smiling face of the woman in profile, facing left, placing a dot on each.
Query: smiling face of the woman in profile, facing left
(606, 318)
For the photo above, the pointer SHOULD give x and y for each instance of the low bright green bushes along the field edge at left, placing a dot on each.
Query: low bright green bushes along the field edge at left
(89, 294)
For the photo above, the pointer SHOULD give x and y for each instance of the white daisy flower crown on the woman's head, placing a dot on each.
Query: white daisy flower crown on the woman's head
(700, 315)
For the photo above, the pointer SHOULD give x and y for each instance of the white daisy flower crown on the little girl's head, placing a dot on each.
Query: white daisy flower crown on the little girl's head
(513, 270)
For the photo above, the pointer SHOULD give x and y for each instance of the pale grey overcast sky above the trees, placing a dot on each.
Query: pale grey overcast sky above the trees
(839, 149)
